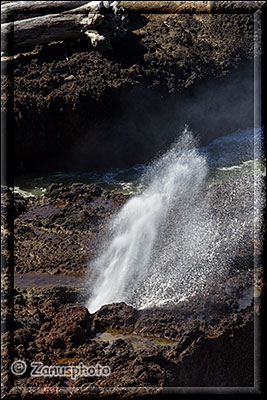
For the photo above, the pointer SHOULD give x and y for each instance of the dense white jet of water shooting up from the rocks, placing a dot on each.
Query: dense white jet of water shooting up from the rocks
(124, 263)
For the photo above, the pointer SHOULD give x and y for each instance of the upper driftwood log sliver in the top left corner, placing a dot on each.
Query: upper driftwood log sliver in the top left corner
(18, 10)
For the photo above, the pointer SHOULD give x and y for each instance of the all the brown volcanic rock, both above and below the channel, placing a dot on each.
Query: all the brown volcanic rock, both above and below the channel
(74, 108)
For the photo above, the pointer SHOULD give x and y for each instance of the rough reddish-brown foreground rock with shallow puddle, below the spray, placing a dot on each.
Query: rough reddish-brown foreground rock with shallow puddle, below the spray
(162, 347)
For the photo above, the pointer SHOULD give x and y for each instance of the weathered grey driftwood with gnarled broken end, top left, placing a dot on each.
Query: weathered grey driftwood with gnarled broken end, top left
(96, 20)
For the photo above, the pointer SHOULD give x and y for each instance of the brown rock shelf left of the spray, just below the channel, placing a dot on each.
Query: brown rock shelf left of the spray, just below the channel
(60, 231)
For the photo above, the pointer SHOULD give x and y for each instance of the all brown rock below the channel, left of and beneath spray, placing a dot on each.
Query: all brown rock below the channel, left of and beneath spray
(197, 343)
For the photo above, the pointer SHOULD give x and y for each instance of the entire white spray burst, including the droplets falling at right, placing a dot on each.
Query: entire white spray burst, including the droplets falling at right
(185, 230)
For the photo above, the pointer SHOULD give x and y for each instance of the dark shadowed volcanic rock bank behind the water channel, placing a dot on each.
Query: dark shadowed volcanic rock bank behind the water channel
(155, 71)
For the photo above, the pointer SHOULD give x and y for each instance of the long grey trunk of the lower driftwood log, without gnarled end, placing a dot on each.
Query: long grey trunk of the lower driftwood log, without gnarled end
(48, 28)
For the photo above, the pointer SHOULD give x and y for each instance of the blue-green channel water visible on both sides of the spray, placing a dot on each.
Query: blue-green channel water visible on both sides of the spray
(239, 153)
